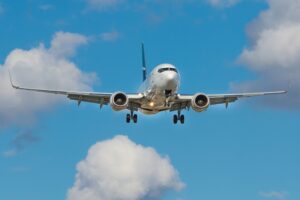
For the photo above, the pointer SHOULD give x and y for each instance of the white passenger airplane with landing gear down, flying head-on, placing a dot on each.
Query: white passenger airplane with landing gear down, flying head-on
(159, 92)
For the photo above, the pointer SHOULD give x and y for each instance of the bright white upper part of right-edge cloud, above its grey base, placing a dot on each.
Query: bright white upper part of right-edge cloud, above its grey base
(275, 37)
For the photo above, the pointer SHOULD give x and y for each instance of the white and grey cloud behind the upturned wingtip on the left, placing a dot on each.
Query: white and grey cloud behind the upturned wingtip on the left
(43, 68)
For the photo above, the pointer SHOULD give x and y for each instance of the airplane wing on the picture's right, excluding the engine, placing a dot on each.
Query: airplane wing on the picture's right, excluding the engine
(184, 101)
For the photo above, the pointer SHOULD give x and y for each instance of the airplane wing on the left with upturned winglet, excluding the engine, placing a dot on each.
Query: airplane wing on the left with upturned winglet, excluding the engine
(91, 97)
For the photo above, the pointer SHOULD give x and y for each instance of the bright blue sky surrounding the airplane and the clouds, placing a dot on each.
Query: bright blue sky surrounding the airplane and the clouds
(249, 151)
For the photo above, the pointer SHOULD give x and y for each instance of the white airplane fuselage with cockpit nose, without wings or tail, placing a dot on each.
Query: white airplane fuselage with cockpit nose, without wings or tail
(162, 83)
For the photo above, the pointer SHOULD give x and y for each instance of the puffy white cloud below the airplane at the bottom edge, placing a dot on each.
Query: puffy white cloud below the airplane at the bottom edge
(119, 169)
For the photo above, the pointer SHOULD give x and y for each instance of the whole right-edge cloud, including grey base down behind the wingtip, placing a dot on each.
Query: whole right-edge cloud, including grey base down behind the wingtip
(274, 51)
